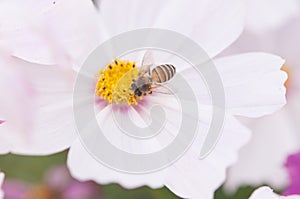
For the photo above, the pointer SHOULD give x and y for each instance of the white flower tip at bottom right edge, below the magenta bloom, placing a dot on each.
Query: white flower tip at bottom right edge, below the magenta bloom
(267, 193)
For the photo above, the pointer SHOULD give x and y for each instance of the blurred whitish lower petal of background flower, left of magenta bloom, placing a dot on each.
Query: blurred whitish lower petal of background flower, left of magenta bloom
(262, 159)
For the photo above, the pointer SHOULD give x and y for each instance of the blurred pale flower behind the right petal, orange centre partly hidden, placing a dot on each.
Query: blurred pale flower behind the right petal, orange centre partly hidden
(259, 162)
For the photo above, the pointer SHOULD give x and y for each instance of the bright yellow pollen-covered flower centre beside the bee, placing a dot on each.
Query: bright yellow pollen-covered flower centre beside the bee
(114, 82)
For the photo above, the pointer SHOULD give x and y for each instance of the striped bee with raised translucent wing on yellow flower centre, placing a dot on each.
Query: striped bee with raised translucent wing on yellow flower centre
(147, 80)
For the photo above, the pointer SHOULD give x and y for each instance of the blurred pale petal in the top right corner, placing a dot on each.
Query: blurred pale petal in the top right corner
(265, 15)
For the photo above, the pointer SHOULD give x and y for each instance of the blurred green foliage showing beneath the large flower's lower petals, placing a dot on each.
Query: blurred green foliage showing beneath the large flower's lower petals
(33, 168)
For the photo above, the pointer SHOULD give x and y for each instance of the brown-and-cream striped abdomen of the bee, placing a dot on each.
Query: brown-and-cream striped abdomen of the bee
(163, 73)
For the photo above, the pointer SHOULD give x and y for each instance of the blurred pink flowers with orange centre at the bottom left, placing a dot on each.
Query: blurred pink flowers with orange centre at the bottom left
(58, 184)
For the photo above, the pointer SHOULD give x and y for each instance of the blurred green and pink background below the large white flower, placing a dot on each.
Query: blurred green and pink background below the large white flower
(34, 177)
